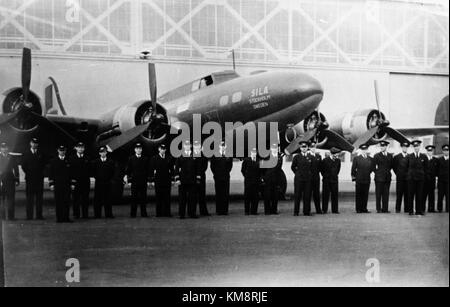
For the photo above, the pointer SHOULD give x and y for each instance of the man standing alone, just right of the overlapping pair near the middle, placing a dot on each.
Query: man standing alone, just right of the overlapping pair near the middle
(221, 167)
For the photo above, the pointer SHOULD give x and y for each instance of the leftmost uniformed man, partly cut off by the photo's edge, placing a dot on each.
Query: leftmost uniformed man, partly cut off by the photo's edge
(9, 179)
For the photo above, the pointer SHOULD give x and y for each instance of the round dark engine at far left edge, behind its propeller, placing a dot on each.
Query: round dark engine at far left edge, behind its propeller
(14, 101)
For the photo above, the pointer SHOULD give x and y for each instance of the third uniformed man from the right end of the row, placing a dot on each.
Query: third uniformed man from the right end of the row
(417, 165)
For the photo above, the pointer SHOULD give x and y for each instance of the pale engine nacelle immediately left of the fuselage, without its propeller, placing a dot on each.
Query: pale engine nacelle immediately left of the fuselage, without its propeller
(129, 116)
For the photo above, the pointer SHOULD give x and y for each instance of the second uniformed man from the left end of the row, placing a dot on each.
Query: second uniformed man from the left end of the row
(33, 165)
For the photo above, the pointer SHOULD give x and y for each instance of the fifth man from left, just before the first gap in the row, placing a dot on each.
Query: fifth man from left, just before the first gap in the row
(103, 169)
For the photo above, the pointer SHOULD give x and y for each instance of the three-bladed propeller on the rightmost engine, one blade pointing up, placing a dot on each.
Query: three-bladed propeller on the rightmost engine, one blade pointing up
(379, 126)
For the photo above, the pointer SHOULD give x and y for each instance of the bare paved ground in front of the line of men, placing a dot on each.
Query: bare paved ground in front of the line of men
(237, 250)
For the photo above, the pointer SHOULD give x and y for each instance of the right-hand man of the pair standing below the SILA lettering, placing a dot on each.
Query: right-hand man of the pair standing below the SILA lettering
(271, 181)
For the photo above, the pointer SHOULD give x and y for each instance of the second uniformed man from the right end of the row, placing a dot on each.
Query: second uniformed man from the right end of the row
(429, 189)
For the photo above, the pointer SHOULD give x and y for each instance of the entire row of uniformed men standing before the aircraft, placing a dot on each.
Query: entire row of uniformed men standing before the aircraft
(71, 177)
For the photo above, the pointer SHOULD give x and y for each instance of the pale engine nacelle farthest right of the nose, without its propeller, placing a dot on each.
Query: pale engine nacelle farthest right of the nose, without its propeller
(353, 125)
